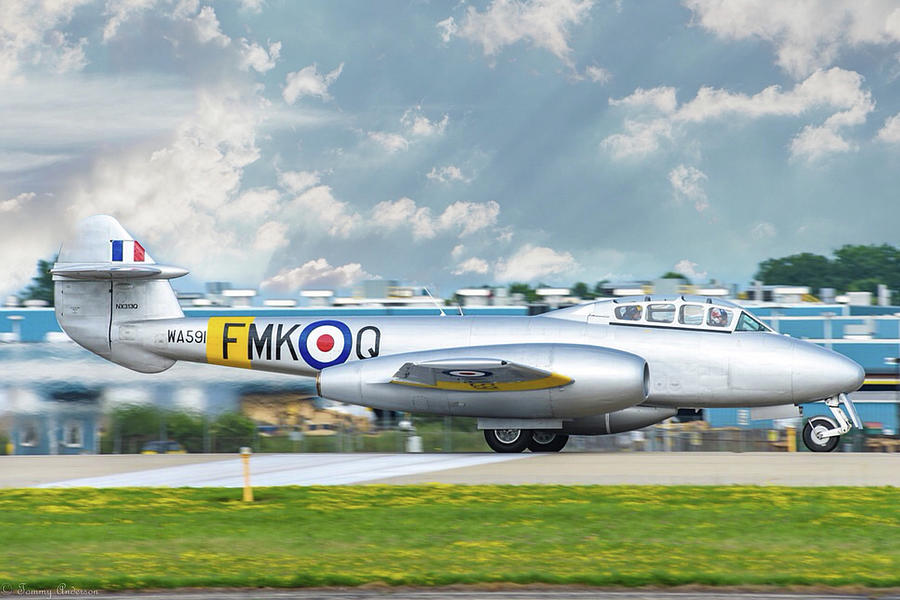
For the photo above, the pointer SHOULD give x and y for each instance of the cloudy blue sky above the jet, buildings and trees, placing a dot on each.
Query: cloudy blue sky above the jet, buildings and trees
(315, 144)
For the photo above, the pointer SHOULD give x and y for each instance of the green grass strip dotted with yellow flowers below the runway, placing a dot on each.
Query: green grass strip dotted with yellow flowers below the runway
(439, 534)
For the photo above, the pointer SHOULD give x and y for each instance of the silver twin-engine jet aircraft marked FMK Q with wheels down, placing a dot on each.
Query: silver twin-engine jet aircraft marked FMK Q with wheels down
(598, 368)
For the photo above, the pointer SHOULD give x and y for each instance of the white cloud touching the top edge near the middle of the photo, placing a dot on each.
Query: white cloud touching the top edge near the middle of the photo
(542, 23)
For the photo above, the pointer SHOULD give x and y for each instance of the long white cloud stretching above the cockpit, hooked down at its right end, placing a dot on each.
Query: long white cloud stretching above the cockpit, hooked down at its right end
(836, 89)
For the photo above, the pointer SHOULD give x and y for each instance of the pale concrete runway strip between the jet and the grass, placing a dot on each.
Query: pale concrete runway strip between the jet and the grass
(688, 468)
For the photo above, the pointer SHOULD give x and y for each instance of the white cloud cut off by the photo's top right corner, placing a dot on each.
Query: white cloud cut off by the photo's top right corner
(806, 35)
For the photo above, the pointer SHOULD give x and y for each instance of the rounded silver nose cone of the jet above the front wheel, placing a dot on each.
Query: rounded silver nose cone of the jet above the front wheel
(821, 373)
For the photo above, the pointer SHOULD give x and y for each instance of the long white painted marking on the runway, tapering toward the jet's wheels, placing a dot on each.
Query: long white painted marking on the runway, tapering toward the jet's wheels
(291, 469)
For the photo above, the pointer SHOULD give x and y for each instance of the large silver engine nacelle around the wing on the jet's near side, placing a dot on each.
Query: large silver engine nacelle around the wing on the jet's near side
(604, 380)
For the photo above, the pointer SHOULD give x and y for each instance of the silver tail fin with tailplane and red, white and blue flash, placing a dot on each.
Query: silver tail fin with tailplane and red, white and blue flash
(104, 279)
